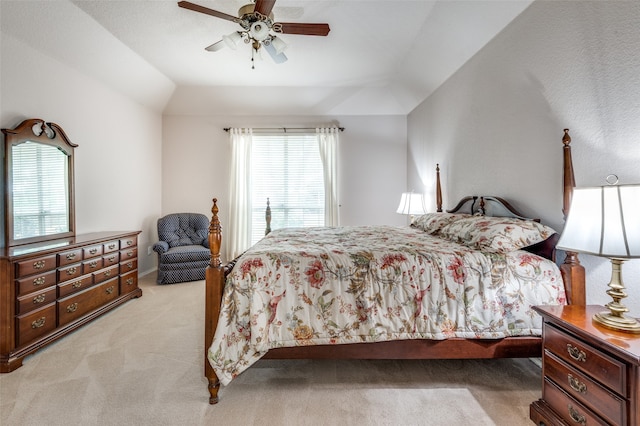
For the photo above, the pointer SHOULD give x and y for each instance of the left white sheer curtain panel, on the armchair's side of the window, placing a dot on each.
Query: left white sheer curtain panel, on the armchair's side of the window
(239, 235)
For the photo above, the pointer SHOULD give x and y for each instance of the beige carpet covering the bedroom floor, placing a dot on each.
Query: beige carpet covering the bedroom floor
(142, 365)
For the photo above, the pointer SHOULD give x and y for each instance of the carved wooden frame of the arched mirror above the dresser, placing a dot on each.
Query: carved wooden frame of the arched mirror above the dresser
(36, 130)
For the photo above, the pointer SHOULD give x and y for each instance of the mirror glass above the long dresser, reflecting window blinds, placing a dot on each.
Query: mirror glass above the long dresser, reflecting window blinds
(40, 193)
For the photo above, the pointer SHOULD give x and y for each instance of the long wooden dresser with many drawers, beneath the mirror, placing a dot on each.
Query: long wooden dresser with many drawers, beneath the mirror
(51, 288)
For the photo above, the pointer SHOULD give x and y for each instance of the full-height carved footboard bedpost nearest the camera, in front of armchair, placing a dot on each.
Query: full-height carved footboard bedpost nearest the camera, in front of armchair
(213, 298)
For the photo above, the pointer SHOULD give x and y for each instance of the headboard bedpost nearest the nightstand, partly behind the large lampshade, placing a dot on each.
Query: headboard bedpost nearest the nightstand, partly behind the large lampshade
(573, 273)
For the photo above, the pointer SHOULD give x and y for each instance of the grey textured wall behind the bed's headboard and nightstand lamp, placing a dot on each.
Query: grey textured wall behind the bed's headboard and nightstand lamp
(496, 125)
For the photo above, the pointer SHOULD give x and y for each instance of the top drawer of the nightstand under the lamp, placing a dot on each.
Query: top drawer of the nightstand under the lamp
(601, 367)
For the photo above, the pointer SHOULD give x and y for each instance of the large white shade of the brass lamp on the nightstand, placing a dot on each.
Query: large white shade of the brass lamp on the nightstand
(604, 221)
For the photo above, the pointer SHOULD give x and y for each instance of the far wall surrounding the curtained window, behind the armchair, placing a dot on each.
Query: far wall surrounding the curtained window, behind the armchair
(372, 163)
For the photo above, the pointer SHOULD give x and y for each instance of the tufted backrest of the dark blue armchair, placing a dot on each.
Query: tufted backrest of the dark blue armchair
(183, 229)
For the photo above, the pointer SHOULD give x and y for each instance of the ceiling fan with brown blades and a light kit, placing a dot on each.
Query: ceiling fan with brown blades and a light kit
(258, 28)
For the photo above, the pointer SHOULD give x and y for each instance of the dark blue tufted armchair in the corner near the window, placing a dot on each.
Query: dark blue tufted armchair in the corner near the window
(183, 249)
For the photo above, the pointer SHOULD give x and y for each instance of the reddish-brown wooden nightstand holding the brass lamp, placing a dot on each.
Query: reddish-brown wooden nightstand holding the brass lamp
(590, 373)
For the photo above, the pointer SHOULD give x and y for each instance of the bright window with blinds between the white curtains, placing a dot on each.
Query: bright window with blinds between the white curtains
(288, 170)
